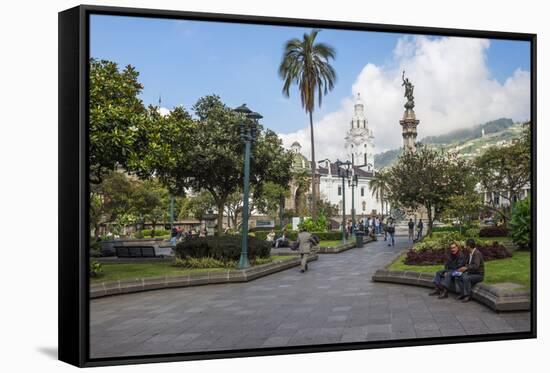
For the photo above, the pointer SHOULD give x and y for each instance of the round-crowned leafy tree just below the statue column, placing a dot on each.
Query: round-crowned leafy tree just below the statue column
(429, 178)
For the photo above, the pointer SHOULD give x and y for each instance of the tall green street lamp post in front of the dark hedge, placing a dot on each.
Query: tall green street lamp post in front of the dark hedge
(248, 129)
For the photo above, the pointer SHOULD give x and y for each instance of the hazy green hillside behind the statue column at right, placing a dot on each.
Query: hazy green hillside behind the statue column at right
(467, 142)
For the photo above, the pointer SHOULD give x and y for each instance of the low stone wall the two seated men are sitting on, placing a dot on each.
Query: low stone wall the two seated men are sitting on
(498, 297)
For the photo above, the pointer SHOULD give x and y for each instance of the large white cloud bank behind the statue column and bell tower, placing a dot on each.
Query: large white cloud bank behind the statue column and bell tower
(453, 89)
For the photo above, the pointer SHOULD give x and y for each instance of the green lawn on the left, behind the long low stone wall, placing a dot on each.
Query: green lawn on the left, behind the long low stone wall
(114, 272)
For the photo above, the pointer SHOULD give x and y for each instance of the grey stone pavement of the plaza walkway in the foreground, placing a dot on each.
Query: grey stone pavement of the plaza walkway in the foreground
(335, 301)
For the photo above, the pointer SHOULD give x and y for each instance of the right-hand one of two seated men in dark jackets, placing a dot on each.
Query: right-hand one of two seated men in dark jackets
(472, 272)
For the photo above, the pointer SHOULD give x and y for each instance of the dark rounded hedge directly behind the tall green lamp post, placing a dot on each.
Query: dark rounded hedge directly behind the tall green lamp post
(225, 248)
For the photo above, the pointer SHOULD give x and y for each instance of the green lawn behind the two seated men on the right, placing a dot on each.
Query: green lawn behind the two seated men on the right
(516, 269)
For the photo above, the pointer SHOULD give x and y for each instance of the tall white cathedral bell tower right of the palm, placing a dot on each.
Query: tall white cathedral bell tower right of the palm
(359, 140)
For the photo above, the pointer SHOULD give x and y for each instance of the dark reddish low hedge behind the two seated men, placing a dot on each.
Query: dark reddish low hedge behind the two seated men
(430, 256)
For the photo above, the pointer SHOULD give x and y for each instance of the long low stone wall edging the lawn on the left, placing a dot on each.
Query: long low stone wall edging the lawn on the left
(204, 278)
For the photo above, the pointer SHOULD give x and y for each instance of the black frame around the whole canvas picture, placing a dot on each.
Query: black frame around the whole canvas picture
(73, 185)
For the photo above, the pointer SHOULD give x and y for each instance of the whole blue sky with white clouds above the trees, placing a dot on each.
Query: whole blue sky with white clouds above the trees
(459, 82)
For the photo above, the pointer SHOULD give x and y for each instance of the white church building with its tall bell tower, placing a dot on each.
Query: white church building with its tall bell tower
(359, 147)
